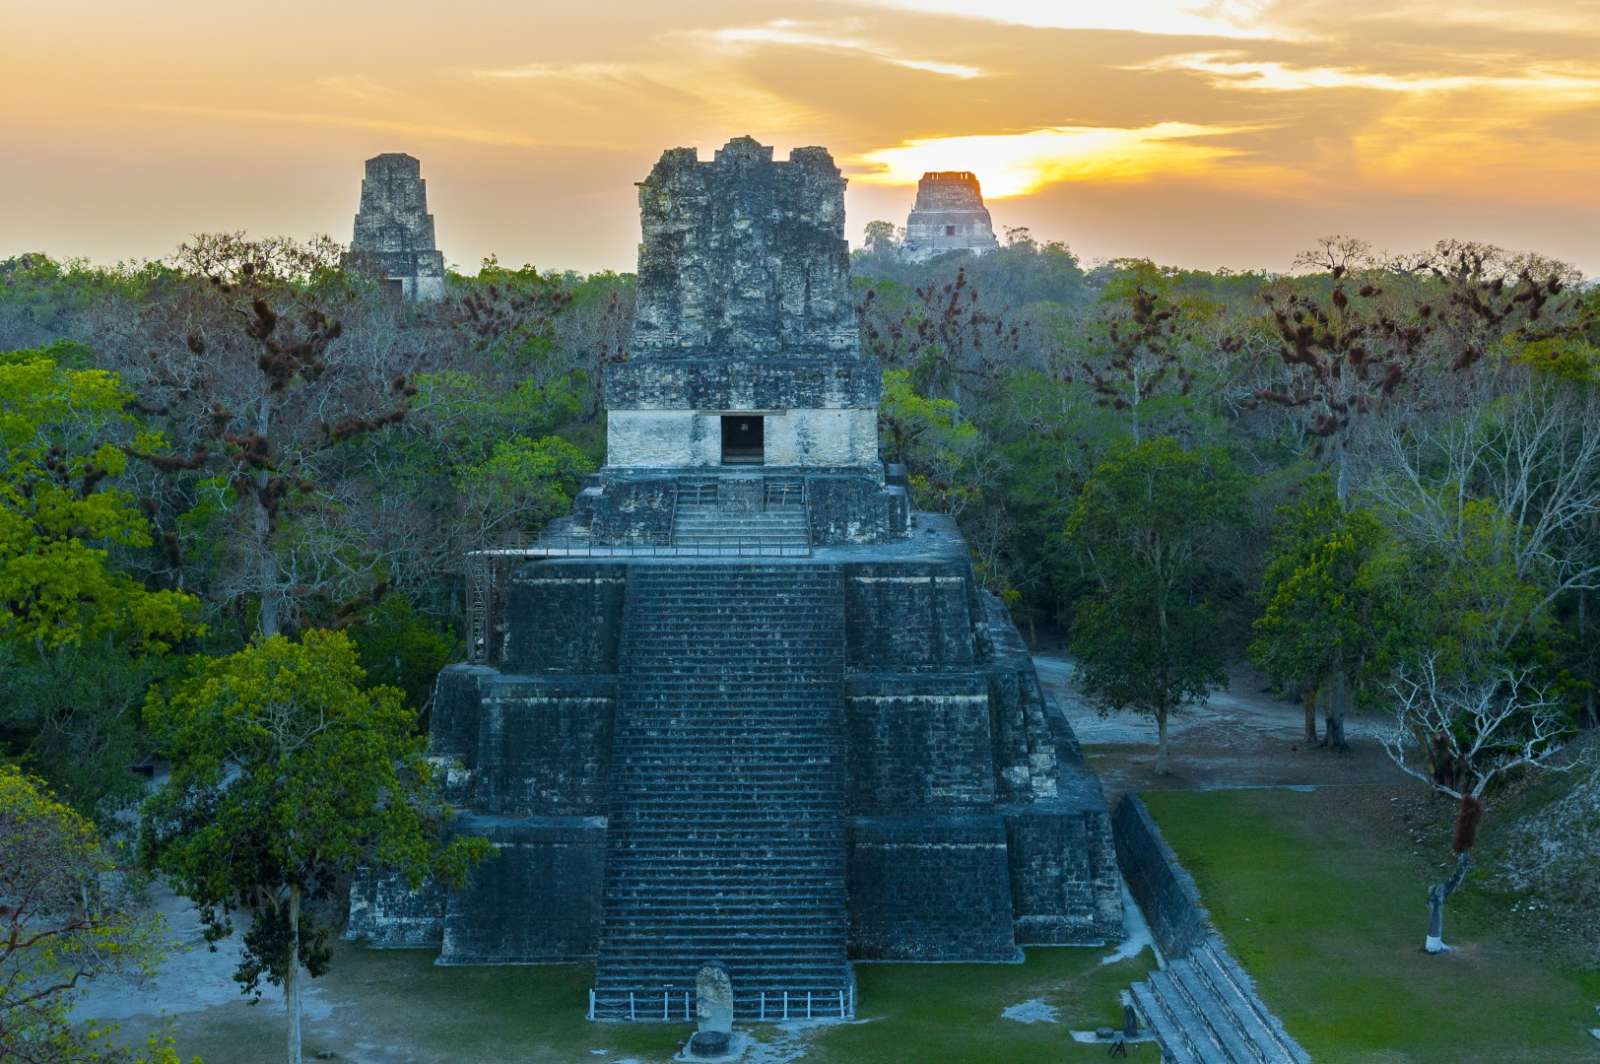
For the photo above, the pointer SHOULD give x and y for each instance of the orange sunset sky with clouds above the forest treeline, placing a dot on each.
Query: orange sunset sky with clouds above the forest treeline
(1226, 134)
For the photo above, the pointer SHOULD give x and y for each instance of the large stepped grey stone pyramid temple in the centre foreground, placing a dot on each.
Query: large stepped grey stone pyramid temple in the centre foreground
(745, 710)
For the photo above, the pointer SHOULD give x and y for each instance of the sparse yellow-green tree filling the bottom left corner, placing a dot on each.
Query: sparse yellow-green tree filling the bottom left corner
(66, 918)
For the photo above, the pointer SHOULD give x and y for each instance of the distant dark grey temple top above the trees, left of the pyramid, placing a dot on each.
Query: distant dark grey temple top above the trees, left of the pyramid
(394, 233)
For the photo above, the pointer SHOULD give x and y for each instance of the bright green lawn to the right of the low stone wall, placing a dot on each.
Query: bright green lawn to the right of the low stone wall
(1324, 902)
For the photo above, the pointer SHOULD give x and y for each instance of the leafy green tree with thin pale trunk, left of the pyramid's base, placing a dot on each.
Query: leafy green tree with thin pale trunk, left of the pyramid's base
(287, 775)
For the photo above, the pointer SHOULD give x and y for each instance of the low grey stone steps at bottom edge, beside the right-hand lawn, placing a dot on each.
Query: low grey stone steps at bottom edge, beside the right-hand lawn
(1204, 1010)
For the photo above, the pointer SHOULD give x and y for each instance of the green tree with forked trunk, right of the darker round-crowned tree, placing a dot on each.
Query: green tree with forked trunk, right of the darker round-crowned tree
(1327, 604)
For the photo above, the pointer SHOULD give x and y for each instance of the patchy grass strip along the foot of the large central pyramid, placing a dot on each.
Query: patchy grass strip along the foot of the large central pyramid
(393, 1007)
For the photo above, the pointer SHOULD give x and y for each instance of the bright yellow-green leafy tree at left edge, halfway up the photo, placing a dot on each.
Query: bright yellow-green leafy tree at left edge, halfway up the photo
(79, 634)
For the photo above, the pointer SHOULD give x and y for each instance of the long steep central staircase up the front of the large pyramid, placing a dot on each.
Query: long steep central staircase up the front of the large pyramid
(727, 820)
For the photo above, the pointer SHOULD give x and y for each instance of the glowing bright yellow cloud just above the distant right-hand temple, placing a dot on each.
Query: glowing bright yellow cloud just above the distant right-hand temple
(1015, 164)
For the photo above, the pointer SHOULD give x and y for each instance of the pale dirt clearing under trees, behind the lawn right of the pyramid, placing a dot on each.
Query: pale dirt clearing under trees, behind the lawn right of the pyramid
(1239, 738)
